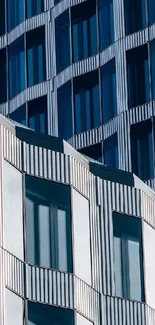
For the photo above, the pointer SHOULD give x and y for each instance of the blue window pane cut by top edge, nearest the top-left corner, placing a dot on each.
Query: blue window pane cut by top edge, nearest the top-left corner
(15, 10)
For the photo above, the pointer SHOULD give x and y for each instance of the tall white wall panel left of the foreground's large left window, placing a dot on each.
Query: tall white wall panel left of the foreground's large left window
(12, 210)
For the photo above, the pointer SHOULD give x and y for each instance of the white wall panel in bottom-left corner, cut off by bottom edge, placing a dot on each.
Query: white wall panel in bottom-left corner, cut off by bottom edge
(13, 314)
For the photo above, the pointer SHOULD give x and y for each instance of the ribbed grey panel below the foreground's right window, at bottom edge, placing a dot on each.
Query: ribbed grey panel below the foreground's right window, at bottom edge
(123, 312)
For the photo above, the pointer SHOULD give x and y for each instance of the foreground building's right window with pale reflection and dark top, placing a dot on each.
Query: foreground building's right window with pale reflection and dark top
(128, 257)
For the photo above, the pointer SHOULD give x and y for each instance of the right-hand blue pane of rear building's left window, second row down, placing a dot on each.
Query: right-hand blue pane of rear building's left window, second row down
(36, 63)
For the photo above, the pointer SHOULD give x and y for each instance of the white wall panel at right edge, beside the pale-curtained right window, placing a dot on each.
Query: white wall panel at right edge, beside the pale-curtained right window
(149, 263)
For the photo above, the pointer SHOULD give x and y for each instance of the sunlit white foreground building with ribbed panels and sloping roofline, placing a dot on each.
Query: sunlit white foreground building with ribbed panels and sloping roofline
(77, 239)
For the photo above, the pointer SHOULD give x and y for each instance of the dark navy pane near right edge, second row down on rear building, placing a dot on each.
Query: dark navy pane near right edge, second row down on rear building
(138, 76)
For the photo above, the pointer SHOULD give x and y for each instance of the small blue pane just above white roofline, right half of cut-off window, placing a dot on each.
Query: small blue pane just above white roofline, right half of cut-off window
(111, 151)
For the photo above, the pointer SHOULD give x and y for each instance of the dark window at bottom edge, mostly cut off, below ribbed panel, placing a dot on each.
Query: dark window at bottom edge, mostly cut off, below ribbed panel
(40, 314)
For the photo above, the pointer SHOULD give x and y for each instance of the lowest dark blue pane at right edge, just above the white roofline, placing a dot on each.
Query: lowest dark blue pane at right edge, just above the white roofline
(142, 146)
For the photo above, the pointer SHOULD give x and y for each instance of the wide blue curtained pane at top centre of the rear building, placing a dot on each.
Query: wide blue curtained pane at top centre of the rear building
(84, 30)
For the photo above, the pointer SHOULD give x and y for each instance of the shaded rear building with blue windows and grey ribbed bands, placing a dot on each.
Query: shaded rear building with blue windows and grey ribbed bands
(83, 71)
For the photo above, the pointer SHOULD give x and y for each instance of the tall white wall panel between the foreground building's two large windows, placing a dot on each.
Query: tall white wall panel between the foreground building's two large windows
(81, 236)
